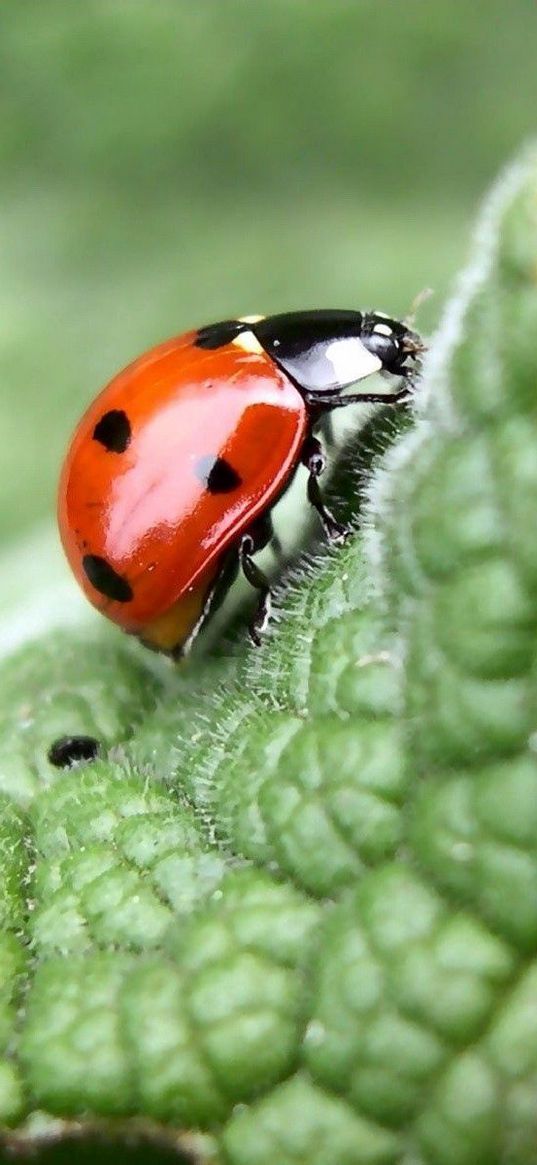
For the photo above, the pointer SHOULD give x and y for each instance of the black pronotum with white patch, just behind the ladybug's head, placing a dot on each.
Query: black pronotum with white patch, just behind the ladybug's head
(320, 351)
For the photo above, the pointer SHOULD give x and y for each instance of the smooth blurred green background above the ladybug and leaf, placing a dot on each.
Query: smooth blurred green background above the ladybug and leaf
(166, 164)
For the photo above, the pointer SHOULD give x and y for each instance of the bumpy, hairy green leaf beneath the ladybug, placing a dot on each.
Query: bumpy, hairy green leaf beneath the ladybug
(292, 915)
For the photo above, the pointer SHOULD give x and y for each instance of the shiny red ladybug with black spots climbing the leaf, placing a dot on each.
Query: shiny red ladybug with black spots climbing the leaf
(172, 475)
